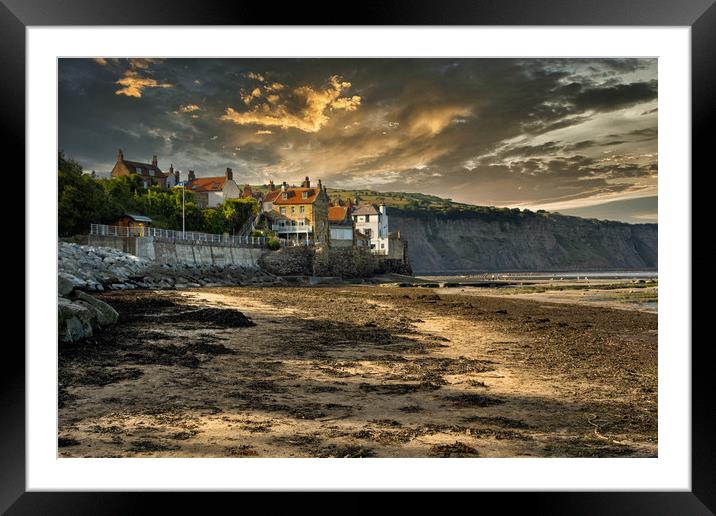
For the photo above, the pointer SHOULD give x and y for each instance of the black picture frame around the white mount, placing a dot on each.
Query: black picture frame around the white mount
(700, 15)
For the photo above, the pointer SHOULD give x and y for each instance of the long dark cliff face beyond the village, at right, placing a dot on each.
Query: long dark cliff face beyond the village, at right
(441, 243)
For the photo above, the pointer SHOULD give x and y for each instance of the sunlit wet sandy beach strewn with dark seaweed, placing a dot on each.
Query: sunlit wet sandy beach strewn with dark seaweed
(359, 371)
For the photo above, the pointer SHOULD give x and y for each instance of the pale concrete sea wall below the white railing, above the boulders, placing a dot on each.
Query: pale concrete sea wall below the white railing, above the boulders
(190, 253)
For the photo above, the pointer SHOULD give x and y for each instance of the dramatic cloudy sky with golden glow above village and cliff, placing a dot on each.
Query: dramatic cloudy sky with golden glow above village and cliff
(577, 136)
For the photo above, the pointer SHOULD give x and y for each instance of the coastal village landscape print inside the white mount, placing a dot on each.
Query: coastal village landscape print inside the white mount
(357, 258)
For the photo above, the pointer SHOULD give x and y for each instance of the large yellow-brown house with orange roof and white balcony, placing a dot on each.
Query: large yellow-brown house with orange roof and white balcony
(300, 213)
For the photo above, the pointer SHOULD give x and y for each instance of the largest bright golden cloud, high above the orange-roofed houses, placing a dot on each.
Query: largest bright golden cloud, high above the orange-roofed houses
(304, 108)
